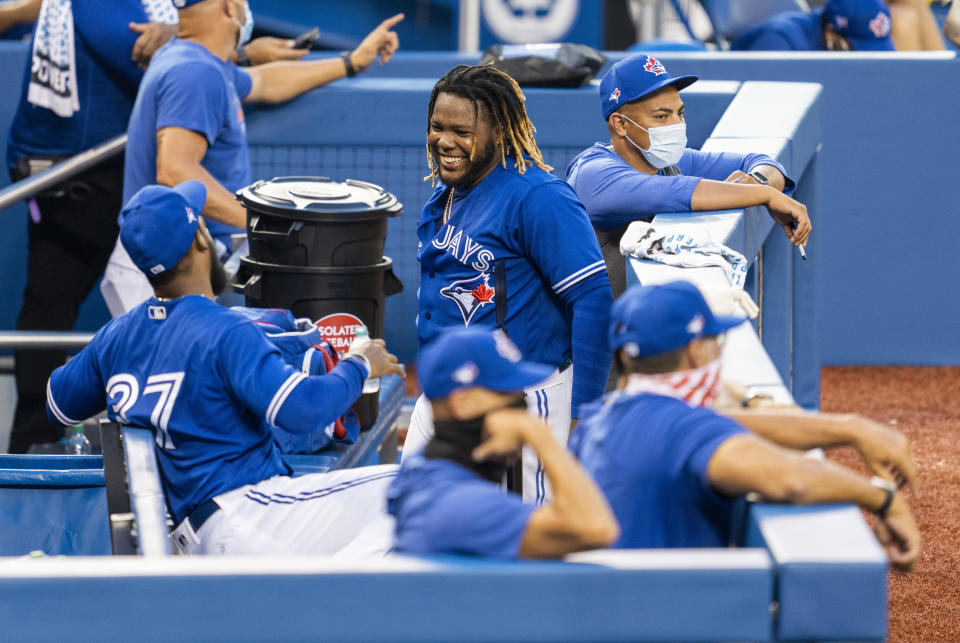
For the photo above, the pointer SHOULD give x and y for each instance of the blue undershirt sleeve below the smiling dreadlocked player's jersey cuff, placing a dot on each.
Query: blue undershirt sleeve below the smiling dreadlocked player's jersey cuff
(590, 303)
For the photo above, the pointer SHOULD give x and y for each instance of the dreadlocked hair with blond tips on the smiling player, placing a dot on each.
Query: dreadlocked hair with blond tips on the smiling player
(503, 99)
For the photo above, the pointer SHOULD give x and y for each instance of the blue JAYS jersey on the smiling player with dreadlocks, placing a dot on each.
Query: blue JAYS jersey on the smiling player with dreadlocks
(534, 226)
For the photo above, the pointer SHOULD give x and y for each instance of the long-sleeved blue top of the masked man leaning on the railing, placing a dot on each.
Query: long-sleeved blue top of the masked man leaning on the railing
(615, 194)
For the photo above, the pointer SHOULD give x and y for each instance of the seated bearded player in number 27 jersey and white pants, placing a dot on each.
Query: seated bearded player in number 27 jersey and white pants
(204, 378)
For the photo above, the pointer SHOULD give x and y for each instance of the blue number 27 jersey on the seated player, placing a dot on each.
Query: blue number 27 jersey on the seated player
(204, 378)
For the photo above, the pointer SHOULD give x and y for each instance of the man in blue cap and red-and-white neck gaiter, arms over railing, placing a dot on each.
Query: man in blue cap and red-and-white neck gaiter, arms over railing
(673, 469)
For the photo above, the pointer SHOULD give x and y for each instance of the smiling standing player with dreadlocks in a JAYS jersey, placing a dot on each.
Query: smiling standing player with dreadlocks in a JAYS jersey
(505, 244)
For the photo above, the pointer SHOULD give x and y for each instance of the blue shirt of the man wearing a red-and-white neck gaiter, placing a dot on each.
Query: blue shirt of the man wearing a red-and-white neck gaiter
(649, 455)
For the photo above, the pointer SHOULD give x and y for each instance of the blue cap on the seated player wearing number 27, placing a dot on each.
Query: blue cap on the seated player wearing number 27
(158, 224)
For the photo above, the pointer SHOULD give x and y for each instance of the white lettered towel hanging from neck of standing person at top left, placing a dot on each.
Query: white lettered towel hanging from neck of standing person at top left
(53, 67)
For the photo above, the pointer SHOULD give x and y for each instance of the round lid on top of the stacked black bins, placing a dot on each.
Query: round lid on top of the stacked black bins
(298, 195)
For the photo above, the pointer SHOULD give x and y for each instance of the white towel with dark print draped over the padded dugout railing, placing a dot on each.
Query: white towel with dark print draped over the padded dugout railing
(642, 241)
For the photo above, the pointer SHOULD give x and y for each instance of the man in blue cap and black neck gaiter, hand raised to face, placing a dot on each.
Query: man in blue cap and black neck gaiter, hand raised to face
(447, 499)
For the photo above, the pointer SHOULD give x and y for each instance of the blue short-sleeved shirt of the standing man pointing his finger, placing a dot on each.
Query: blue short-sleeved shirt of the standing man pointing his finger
(187, 86)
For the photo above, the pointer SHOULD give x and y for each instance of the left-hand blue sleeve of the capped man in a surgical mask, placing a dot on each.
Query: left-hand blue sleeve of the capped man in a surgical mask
(615, 194)
